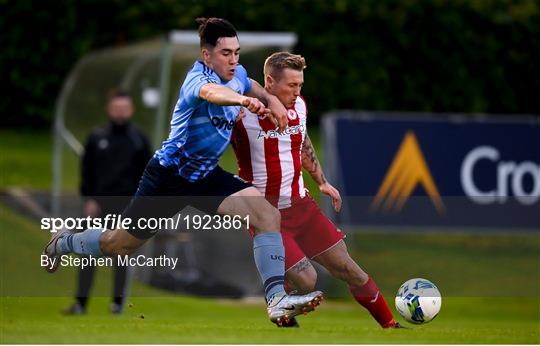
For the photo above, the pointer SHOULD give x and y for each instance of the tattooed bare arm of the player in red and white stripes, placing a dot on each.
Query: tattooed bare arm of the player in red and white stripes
(311, 164)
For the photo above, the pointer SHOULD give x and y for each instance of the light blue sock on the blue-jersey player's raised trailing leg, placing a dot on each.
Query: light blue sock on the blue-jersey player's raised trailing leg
(84, 243)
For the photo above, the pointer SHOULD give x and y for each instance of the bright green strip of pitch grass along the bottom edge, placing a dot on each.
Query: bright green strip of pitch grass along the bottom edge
(193, 320)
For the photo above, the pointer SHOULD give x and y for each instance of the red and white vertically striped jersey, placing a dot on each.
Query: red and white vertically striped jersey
(269, 160)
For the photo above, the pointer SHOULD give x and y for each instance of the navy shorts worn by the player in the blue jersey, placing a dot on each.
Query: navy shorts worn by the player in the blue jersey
(163, 193)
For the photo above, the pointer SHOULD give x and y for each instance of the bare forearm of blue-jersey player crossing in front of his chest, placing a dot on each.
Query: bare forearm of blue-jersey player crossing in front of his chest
(224, 96)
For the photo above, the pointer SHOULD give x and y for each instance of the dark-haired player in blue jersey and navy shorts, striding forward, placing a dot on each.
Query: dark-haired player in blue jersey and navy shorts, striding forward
(209, 103)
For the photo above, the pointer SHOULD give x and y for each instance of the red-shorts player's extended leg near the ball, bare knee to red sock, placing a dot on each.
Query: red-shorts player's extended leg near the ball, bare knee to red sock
(363, 288)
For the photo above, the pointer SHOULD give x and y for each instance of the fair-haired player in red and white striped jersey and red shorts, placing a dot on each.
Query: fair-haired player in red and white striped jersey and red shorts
(273, 162)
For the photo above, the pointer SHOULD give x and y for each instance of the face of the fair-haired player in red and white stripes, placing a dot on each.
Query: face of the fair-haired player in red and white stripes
(287, 86)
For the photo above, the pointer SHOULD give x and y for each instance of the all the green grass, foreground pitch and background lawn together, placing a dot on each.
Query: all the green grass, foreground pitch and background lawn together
(490, 284)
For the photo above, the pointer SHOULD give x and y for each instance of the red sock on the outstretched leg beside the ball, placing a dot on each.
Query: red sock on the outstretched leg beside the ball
(370, 298)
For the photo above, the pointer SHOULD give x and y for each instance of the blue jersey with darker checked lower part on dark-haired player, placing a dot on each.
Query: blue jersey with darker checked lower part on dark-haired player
(200, 130)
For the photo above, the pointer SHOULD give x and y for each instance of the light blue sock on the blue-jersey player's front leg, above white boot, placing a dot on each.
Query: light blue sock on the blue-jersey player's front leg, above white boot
(270, 260)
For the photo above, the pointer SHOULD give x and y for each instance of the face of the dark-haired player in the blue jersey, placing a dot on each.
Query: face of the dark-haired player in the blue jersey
(223, 58)
